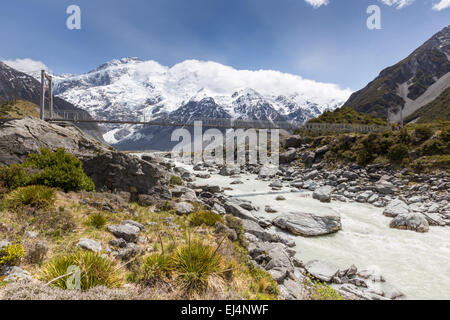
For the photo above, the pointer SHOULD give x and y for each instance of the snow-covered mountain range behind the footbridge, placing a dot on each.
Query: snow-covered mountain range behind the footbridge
(132, 89)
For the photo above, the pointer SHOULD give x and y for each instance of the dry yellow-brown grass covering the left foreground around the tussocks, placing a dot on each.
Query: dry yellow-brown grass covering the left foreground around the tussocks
(165, 233)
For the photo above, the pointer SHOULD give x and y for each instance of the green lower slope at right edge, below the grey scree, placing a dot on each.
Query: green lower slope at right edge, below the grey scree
(439, 109)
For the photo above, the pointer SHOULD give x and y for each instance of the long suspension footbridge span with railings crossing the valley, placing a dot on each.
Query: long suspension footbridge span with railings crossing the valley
(80, 116)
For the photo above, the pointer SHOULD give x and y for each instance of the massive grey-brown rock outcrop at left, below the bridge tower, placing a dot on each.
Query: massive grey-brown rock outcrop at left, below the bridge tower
(110, 170)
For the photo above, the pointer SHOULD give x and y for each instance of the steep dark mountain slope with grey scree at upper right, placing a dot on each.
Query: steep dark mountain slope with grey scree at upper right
(412, 83)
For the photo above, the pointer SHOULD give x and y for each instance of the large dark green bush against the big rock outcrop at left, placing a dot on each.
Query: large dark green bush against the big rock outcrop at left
(59, 170)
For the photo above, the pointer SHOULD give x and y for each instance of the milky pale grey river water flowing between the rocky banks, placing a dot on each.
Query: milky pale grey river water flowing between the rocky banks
(418, 264)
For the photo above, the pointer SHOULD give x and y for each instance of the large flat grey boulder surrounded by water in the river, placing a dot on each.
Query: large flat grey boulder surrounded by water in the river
(309, 224)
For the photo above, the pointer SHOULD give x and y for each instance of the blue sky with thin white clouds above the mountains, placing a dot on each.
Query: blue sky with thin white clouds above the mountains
(327, 43)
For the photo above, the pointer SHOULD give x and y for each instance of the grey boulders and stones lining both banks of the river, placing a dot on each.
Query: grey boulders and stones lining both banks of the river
(274, 251)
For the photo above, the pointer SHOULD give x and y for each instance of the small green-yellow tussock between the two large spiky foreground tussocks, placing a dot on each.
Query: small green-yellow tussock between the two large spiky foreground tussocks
(156, 267)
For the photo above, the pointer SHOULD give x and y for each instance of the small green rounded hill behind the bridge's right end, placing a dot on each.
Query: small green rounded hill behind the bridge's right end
(347, 115)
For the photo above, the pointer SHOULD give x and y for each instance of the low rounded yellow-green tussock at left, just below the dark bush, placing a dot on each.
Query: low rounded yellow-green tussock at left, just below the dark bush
(38, 197)
